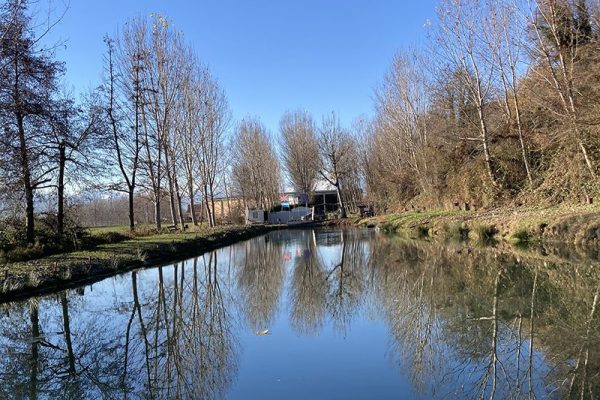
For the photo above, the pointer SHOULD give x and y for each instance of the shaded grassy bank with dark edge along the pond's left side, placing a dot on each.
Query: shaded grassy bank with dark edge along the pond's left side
(24, 279)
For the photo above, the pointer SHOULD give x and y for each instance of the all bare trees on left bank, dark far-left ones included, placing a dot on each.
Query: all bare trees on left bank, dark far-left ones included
(154, 128)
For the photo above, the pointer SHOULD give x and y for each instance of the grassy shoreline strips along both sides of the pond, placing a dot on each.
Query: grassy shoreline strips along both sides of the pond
(572, 227)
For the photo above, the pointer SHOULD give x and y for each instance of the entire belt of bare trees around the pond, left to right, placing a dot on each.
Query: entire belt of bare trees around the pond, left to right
(498, 107)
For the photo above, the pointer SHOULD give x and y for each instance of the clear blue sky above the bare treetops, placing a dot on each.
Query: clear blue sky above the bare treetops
(270, 56)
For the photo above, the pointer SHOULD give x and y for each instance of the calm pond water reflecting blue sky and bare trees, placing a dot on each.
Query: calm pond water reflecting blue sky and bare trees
(350, 315)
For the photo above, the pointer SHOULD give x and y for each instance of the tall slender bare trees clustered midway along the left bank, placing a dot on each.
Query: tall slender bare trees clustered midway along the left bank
(167, 119)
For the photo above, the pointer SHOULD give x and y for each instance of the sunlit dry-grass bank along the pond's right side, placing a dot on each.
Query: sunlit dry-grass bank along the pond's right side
(574, 225)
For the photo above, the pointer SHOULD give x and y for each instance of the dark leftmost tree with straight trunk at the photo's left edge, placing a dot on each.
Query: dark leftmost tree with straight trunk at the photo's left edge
(27, 85)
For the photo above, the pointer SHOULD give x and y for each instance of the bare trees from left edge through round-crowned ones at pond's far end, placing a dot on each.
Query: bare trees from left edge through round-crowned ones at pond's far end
(157, 128)
